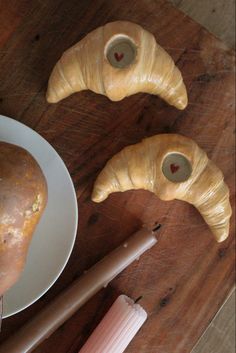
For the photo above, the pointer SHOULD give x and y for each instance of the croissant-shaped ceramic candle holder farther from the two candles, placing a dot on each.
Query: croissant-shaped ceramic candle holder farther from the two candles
(117, 60)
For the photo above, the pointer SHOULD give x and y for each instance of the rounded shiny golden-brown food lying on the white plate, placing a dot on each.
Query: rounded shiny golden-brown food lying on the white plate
(23, 196)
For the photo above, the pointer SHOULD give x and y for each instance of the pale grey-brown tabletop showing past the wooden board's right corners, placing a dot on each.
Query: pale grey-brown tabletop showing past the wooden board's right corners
(219, 18)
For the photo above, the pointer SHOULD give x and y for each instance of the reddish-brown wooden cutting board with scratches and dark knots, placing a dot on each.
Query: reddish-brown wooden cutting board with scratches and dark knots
(186, 277)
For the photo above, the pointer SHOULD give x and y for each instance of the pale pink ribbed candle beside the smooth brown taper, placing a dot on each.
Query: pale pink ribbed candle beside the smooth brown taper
(117, 328)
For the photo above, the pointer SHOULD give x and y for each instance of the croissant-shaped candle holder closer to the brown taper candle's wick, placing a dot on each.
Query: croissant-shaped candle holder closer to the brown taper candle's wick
(173, 167)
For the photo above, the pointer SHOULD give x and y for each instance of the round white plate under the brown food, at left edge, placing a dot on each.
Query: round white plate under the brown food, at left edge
(55, 235)
